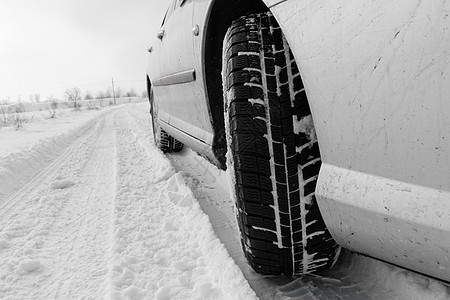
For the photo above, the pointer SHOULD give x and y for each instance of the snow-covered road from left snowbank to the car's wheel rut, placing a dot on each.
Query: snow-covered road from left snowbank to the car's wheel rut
(109, 218)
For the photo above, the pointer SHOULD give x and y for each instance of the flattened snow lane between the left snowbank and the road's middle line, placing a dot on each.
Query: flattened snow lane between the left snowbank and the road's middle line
(56, 241)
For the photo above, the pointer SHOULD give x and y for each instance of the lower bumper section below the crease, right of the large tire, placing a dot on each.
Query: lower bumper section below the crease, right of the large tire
(394, 221)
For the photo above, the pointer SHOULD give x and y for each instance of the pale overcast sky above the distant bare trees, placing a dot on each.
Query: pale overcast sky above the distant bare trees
(47, 46)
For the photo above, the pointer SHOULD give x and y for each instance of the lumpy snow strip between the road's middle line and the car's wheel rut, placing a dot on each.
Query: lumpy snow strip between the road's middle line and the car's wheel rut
(164, 245)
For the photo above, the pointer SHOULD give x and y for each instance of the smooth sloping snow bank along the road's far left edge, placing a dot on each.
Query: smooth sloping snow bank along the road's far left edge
(25, 152)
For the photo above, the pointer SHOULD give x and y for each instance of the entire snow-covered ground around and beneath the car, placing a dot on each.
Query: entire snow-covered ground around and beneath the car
(91, 209)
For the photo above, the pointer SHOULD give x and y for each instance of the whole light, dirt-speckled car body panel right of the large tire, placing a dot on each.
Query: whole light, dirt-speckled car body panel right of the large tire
(377, 78)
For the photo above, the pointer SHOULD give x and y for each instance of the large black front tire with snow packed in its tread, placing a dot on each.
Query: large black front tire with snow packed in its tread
(272, 160)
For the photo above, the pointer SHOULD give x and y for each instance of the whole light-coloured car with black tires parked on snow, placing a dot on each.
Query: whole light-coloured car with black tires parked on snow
(332, 119)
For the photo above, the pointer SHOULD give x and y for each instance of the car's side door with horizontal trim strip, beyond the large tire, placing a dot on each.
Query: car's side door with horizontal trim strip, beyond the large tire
(180, 96)
